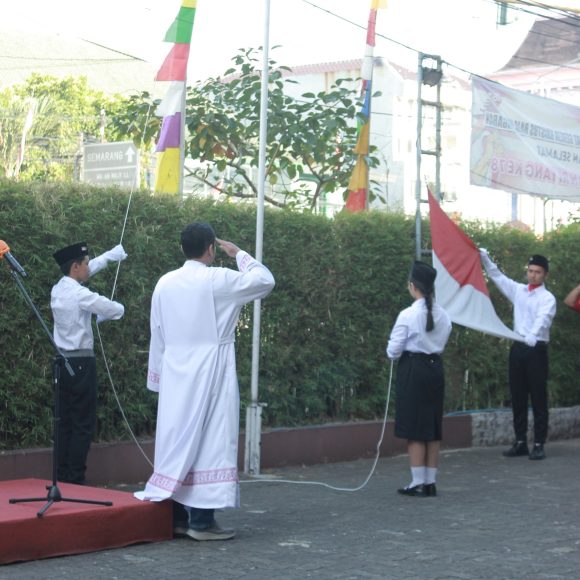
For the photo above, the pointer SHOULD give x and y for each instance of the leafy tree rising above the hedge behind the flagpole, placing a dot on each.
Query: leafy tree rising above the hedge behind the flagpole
(309, 140)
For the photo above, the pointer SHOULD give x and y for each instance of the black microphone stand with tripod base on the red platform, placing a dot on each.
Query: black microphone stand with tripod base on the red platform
(54, 494)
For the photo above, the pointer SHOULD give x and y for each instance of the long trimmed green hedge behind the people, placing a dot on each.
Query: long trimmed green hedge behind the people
(339, 287)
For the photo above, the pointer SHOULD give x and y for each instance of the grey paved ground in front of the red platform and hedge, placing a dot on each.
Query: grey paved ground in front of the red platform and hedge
(494, 518)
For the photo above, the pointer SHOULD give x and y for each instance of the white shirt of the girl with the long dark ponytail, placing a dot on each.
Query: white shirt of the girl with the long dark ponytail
(409, 332)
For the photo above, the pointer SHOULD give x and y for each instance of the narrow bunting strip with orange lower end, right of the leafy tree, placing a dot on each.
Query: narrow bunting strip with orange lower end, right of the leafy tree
(358, 182)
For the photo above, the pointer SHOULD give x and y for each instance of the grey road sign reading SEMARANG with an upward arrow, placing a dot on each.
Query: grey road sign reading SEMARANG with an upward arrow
(111, 164)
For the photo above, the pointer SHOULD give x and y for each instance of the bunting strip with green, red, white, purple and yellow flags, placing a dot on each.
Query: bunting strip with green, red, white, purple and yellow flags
(172, 108)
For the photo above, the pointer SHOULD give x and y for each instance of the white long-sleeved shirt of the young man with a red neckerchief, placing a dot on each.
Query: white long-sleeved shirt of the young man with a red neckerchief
(534, 310)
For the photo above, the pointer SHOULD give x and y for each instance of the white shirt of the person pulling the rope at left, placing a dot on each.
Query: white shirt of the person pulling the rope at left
(72, 306)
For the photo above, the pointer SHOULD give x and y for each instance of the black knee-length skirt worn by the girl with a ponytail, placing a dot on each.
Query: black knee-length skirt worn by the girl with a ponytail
(420, 391)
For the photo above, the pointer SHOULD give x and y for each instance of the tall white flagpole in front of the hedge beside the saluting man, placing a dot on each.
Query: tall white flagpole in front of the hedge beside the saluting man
(254, 410)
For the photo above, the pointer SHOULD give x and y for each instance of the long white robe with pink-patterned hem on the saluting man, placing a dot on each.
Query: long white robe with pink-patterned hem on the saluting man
(194, 313)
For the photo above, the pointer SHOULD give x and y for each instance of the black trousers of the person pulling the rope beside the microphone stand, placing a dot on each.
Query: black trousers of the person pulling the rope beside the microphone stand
(78, 408)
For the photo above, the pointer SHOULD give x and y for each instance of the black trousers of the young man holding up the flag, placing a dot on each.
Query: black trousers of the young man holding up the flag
(528, 375)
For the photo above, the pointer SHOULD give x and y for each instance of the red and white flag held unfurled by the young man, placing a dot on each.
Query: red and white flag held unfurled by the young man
(460, 285)
